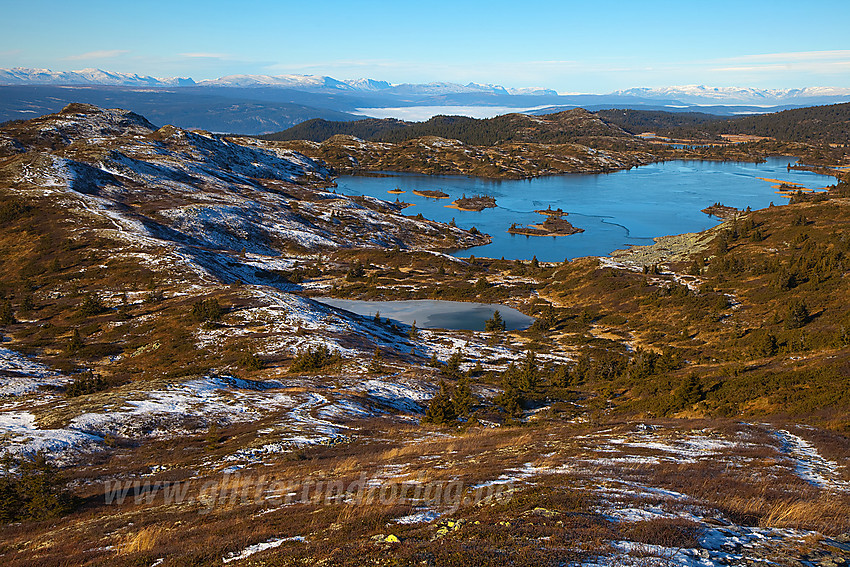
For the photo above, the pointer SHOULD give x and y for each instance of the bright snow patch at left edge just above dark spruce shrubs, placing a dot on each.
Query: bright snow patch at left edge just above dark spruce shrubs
(21, 435)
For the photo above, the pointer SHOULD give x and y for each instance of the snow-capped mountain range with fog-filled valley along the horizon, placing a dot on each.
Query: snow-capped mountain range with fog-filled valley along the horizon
(257, 104)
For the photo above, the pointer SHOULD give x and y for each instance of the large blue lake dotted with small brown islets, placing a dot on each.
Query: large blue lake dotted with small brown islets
(616, 210)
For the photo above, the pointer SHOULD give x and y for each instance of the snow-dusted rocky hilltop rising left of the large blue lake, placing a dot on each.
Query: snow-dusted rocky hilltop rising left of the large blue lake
(196, 189)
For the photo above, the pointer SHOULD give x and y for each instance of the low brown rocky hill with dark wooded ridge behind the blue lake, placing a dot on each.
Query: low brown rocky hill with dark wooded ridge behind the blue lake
(513, 146)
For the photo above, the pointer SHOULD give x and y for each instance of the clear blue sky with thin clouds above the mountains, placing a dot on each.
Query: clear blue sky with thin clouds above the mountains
(568, 46)
